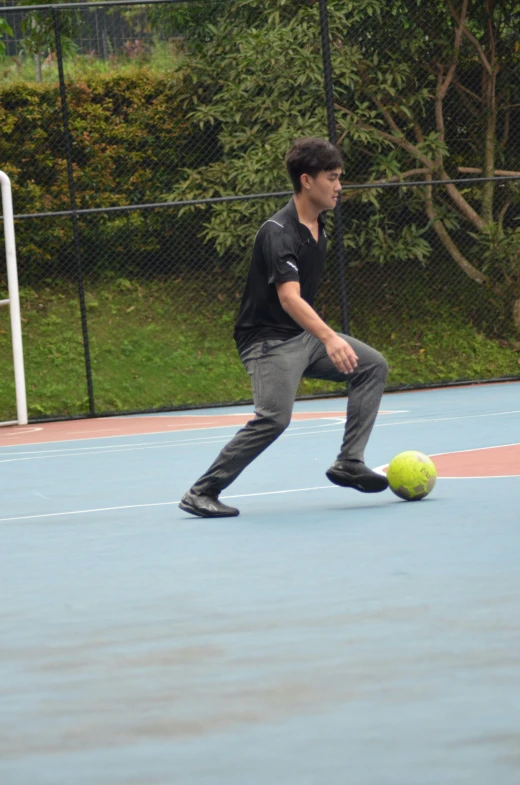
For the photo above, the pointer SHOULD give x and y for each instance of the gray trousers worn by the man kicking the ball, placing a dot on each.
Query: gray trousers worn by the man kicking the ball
(275, 368)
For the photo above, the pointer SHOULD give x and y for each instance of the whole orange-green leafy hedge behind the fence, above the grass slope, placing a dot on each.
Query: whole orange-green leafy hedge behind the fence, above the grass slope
(130, 142)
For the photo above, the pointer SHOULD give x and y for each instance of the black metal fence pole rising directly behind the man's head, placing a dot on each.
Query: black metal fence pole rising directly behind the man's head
(331, 124)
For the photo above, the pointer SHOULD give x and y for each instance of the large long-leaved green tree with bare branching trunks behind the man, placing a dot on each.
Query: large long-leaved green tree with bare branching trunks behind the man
(424, 90)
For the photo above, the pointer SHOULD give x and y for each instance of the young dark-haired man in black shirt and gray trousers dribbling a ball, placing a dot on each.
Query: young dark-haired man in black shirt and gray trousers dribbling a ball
(281, 338)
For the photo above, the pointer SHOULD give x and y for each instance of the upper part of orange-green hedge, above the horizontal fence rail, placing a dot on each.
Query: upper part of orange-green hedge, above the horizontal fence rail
(129, 139)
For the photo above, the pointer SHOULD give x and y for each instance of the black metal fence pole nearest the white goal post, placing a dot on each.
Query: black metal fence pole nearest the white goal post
(75, 228)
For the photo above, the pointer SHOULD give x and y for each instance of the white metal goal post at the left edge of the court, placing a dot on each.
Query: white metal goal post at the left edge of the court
(13, 302)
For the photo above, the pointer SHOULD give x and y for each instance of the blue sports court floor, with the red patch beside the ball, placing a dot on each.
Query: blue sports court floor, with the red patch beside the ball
(324, 637)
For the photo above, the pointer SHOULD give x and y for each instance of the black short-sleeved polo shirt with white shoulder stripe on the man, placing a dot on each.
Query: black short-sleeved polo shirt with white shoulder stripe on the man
(284, 250)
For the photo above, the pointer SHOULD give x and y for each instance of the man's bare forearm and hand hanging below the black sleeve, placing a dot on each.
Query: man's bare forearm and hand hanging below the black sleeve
(339, 351)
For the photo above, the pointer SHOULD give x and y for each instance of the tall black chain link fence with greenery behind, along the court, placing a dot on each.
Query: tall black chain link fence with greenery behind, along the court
(145, 145)
